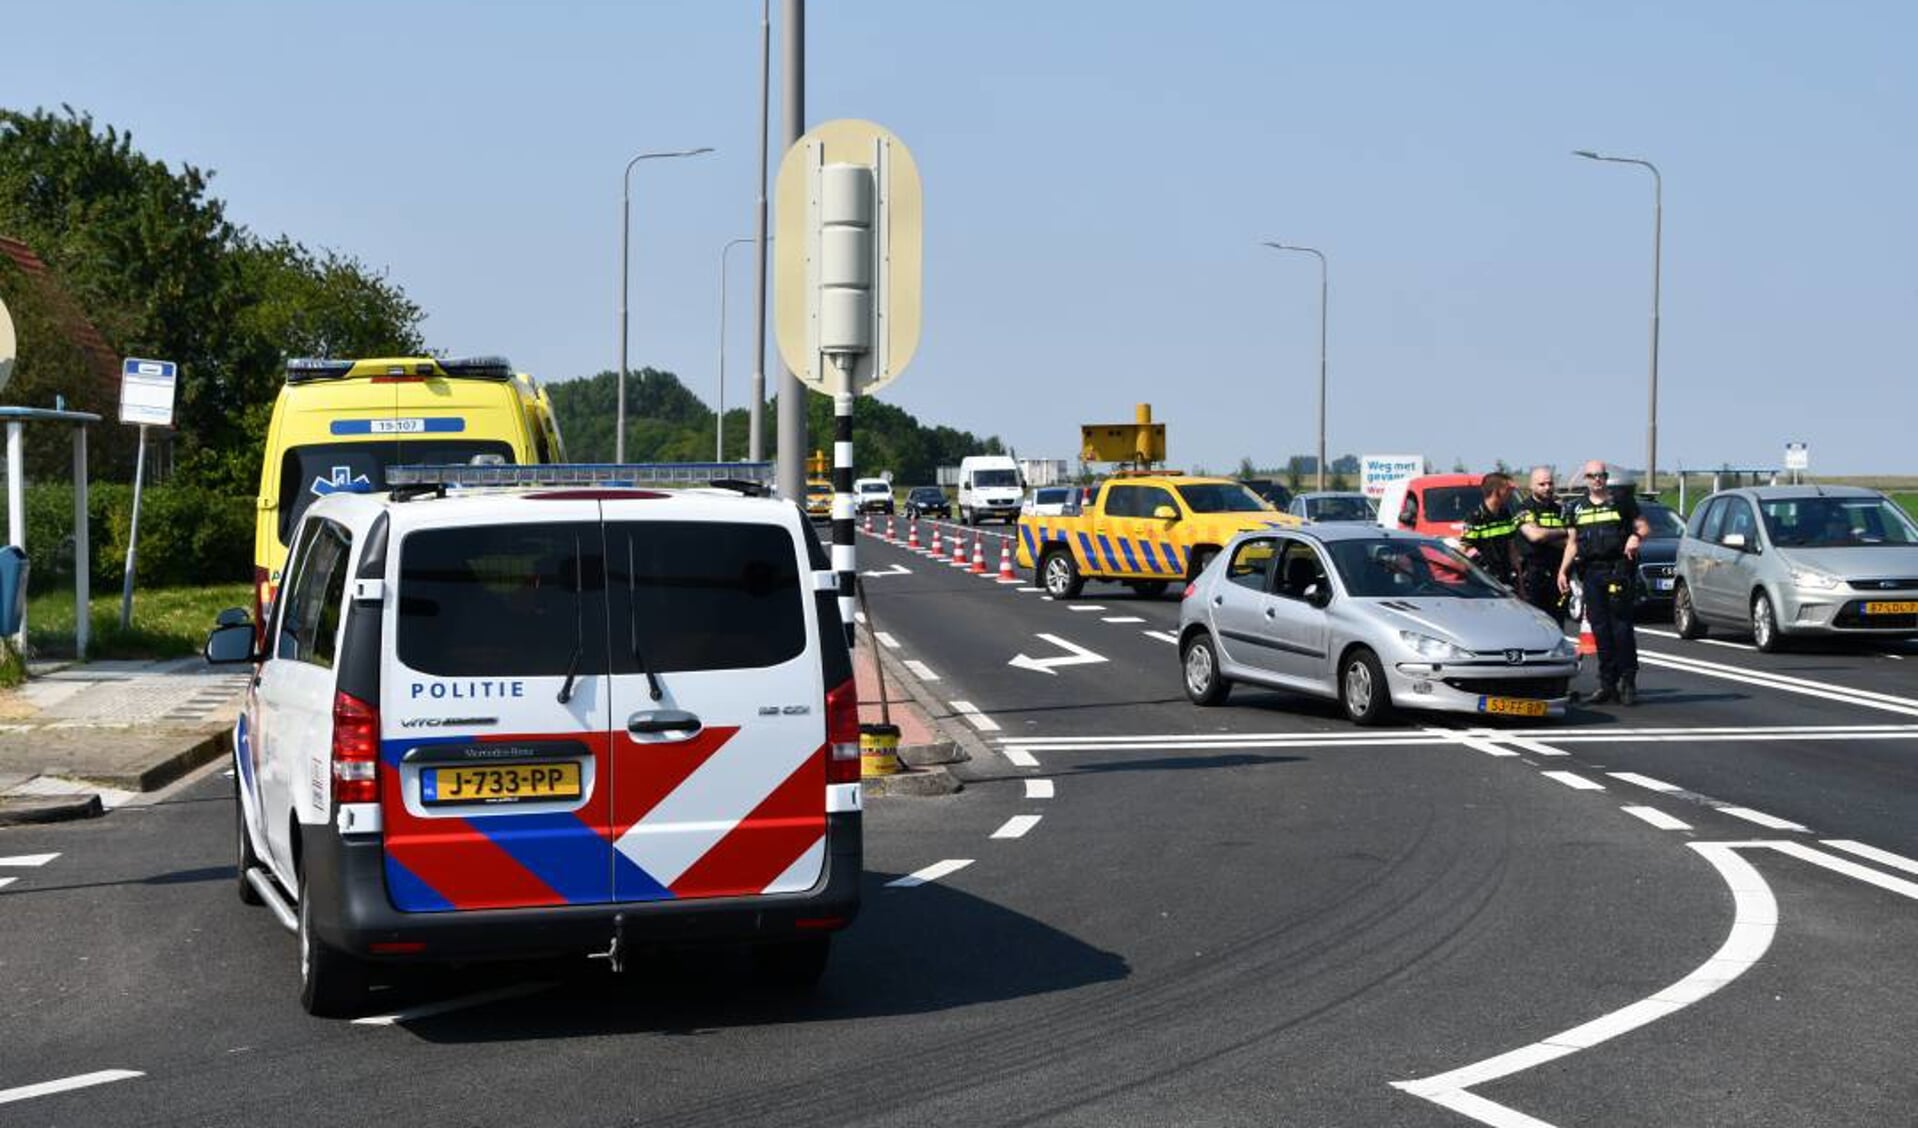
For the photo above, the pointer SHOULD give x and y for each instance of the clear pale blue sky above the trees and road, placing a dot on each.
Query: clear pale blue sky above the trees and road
(1098, 177)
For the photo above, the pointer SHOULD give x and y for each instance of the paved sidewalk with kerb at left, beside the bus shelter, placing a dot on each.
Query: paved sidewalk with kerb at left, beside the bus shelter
(78, 740)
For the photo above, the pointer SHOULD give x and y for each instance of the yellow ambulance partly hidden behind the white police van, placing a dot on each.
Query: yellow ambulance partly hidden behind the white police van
(339, 425)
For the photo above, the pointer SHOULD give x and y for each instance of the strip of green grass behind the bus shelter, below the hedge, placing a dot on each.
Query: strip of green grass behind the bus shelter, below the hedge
(168, 623)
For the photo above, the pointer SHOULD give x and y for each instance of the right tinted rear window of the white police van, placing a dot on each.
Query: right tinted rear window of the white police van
(703, 596)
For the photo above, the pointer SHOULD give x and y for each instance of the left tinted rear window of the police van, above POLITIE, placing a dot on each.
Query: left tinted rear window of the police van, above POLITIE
(494, 601)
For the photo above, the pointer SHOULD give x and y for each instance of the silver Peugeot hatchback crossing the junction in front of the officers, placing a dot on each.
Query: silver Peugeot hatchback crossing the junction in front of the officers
(1374, 619)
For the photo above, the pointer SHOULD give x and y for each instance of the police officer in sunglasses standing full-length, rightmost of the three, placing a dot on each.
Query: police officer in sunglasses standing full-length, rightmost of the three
(1604, 546)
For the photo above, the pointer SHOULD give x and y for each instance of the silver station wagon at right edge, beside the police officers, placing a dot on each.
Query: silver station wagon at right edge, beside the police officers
(1792, 561)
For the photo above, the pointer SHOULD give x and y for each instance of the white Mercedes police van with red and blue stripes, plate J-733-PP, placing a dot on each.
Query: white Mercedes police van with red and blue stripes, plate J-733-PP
(557, 718)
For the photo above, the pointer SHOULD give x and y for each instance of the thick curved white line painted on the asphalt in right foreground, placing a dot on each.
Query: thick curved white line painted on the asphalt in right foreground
(1754, 924)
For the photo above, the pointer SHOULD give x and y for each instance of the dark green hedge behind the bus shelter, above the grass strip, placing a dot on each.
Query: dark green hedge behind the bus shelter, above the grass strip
(187, 536)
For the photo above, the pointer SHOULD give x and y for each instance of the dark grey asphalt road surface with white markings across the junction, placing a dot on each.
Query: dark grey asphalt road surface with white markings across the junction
(1136, 914)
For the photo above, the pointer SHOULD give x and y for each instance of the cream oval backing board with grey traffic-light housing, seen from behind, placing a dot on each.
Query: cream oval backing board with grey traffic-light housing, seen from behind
(847, 258)
